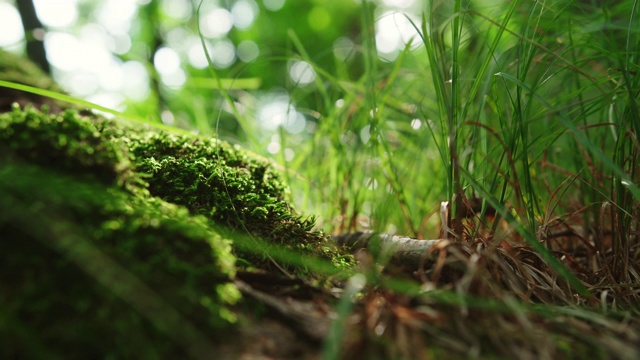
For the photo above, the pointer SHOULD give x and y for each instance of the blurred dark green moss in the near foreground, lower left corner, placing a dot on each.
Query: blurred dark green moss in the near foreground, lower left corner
(91, 269)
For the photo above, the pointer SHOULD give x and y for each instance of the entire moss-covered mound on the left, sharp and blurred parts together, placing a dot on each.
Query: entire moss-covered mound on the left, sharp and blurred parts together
(116, 236)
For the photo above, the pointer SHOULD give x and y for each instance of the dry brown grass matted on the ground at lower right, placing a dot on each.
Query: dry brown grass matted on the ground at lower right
(486, 300)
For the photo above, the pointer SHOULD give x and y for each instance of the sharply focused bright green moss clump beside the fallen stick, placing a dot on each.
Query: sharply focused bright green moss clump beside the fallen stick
(223, 183)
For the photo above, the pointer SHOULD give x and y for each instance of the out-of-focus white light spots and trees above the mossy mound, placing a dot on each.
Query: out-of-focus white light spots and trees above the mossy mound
(146, 57)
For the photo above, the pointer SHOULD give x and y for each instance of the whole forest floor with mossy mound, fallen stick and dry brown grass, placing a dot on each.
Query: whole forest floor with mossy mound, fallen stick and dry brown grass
(124, 241)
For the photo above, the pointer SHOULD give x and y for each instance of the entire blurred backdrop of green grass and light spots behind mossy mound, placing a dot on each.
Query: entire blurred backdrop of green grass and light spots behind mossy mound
(343, 95)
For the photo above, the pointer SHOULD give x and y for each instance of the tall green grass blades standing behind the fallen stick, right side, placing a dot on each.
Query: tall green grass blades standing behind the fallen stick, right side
(513, 101)
